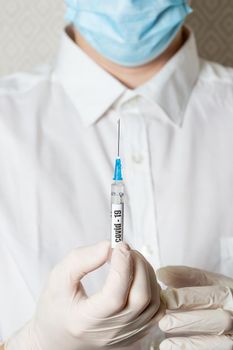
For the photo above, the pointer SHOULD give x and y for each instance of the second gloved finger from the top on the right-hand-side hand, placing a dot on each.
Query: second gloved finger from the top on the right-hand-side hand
(197, 298)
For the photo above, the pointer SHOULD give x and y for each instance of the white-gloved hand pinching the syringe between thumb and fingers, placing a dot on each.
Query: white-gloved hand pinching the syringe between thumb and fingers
(119, 314)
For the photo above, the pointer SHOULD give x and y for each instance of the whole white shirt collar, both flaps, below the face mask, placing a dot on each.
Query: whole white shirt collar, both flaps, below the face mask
(93, 91)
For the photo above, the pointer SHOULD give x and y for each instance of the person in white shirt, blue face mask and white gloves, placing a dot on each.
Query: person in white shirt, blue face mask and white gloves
(134, 60)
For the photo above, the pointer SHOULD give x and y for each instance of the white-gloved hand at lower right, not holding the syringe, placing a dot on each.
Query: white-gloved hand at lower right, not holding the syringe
(200, 307)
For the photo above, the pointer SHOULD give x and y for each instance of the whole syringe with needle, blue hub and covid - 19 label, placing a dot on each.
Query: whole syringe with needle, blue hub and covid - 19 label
(117, 200)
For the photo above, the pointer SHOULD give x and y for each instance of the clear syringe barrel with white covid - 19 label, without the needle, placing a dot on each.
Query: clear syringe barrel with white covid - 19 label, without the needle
(117, 212)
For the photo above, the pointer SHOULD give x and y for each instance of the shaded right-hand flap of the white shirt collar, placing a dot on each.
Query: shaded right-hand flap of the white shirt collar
(172, 87)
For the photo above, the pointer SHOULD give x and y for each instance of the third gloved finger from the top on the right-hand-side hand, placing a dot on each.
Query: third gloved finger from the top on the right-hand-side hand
(214, 322)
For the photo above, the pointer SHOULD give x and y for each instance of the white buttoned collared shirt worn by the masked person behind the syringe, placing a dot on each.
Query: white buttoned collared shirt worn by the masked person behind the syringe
(57, 149)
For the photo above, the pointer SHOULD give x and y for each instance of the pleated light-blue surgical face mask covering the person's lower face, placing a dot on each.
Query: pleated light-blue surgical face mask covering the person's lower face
(128, 32)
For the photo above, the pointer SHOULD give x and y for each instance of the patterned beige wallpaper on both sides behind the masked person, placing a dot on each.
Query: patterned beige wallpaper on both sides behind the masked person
(30, 31)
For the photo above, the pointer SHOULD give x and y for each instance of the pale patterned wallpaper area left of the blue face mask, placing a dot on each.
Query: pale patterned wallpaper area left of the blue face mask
(29, 32)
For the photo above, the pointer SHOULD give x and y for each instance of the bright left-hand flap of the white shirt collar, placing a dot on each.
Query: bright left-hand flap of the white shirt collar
(91, 89)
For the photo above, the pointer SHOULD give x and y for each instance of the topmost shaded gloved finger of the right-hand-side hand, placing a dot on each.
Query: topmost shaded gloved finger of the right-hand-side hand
(183, 276)
